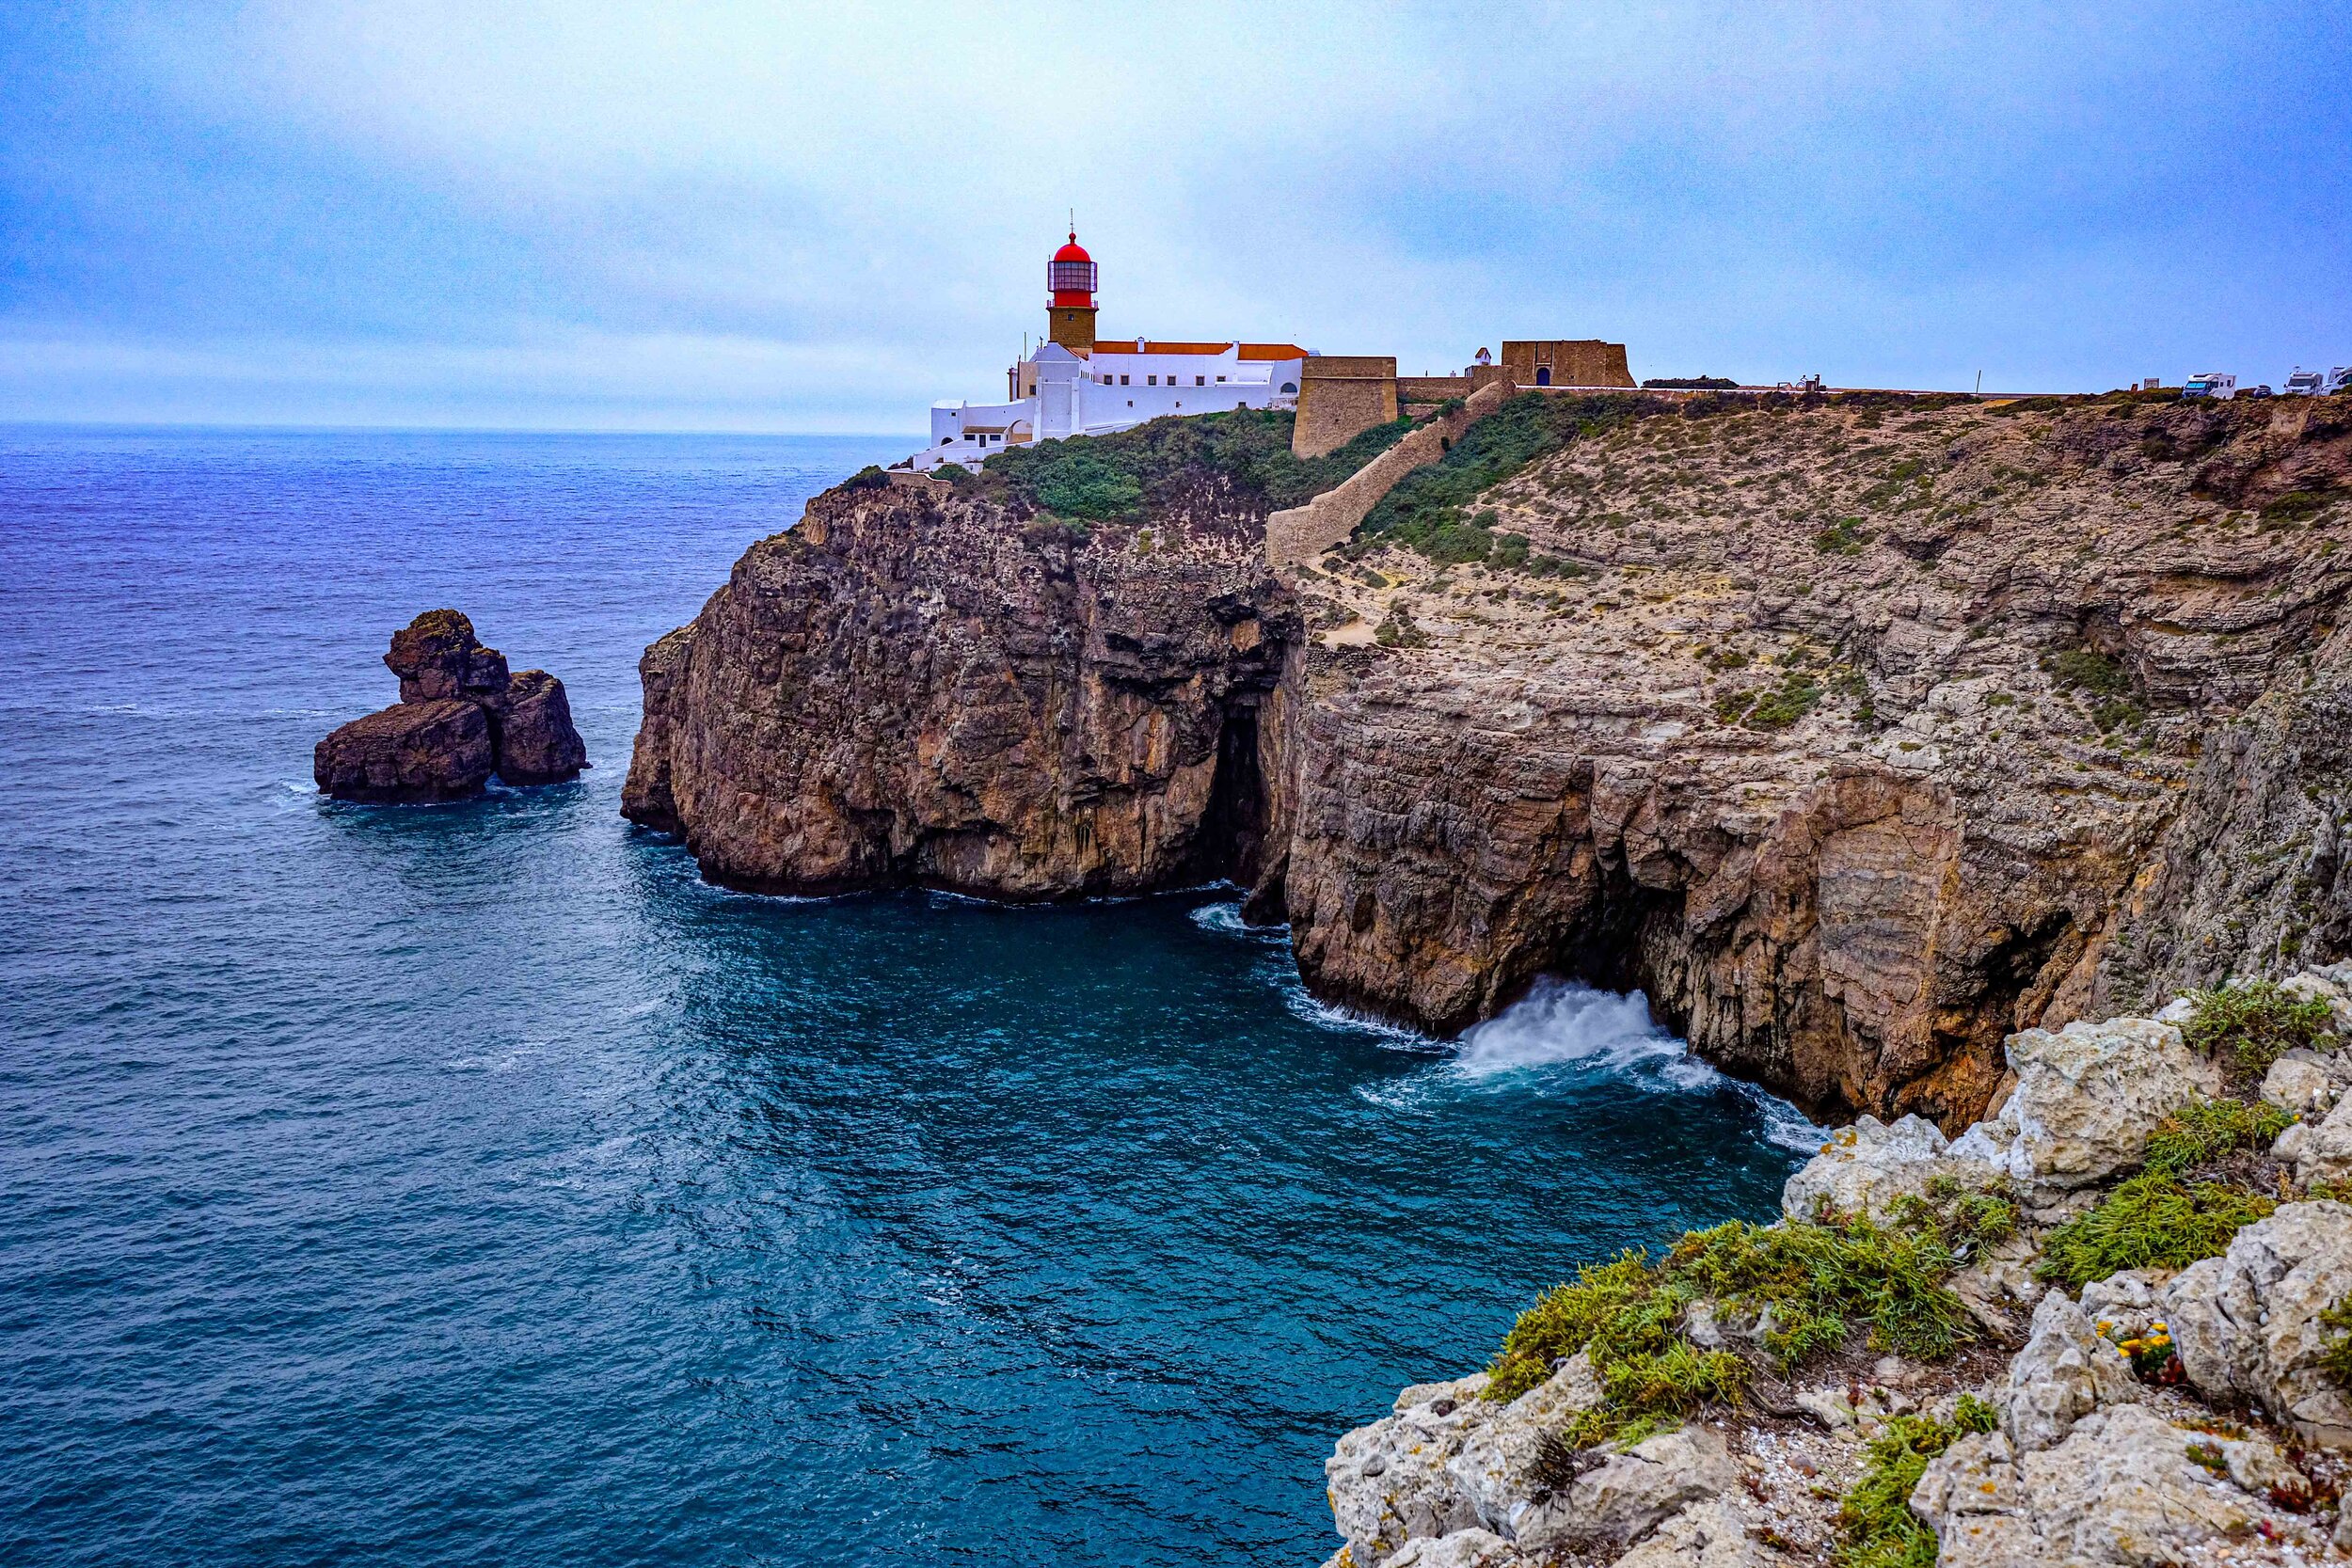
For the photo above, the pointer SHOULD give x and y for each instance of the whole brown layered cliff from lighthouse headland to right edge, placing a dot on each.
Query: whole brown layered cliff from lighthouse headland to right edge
(1859, 739)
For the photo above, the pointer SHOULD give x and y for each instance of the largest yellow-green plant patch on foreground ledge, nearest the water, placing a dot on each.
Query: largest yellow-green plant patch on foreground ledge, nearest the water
(1815, 1282)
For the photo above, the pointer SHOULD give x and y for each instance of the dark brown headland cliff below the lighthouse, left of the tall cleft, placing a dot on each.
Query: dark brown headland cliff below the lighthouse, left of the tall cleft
(921, 690)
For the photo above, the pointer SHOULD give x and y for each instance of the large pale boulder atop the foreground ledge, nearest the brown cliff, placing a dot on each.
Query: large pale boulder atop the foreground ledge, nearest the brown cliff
(2085, 1104)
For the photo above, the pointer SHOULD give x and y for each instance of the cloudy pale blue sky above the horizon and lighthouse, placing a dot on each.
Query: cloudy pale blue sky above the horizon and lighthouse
(686, 215)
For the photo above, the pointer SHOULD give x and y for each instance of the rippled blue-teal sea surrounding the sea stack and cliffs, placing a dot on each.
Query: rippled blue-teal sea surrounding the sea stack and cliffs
(474, 1186)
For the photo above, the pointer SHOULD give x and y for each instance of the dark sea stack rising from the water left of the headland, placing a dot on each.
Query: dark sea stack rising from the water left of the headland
(460, 721)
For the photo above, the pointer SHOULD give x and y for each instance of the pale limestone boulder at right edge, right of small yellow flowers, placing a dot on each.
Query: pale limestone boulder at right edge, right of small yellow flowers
(2247, 1325)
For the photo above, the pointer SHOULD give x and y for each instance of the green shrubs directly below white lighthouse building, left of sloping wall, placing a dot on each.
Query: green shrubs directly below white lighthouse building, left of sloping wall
(1118, 478)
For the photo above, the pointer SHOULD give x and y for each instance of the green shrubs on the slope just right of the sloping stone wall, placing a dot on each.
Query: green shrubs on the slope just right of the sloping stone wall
(1431, 509)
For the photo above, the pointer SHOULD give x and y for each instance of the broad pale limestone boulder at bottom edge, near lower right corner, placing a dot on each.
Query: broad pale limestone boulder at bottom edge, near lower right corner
(2125, 1489)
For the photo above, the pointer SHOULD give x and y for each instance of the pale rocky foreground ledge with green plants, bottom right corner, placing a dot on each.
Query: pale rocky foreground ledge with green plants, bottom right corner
(2106, 1327)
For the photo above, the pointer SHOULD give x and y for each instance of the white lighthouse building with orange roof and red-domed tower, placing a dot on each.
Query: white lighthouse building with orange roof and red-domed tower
(1078, 384)
